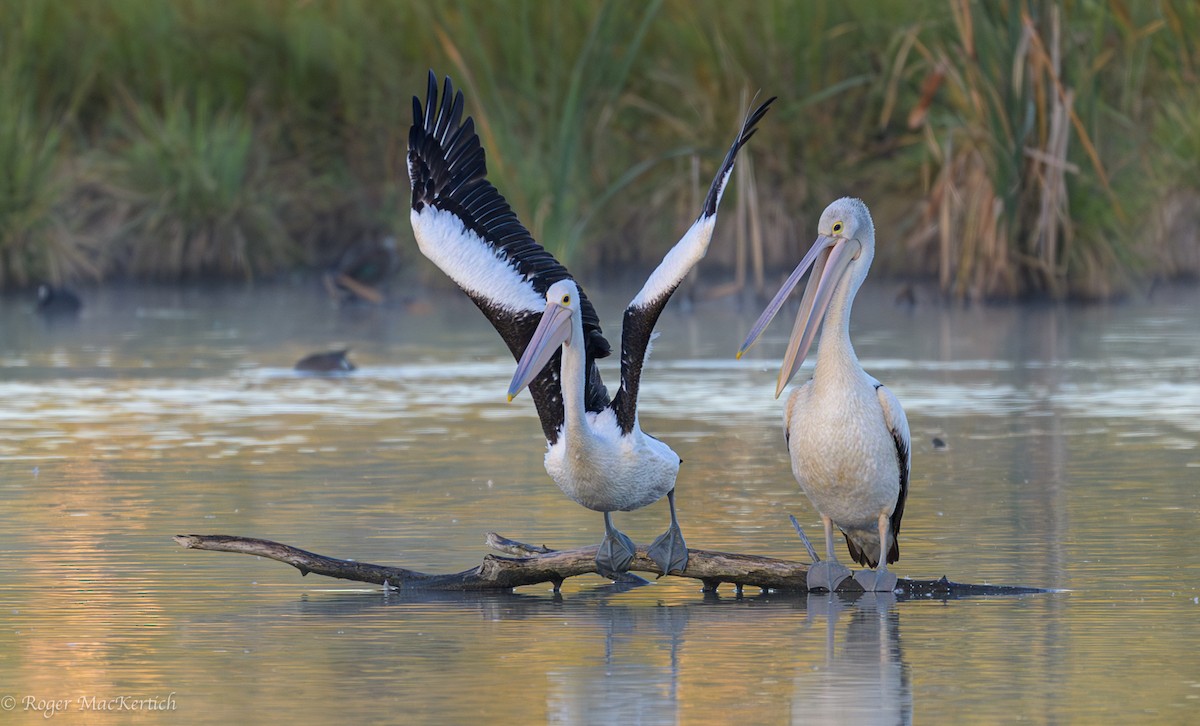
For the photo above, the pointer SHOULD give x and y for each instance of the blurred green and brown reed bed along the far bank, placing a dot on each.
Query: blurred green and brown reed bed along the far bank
(1009, 148)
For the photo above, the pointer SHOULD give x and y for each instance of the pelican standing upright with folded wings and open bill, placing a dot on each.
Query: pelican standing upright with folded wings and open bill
(847, 433)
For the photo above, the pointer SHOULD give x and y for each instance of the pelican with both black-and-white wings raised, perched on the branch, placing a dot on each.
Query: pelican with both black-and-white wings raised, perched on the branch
(597, 453)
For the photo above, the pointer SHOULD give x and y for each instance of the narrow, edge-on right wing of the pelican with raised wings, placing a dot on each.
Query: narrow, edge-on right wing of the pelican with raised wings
(645, 310)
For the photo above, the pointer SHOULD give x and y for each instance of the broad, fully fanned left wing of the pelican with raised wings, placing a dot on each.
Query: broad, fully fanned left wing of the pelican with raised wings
(469, 231)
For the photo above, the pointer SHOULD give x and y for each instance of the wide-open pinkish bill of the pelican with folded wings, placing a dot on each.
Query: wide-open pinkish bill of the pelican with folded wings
(830, 259)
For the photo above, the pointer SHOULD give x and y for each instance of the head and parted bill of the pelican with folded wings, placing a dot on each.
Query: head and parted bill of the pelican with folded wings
(841, 257)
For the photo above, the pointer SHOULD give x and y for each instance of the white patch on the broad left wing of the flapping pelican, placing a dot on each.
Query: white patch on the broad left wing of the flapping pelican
(471, 262)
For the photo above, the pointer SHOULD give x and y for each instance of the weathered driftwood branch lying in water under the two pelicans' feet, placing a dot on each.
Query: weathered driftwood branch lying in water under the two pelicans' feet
(531, 565)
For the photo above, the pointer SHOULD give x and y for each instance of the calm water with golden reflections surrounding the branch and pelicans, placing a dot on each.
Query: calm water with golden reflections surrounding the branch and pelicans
(1072, 464)
